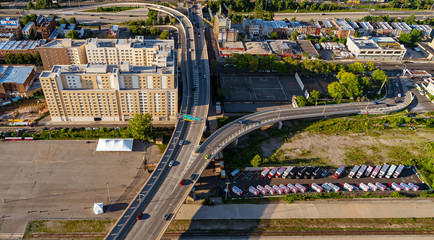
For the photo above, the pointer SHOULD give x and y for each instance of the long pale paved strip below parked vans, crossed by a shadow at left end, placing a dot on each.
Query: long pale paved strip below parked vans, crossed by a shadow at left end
(363, 208)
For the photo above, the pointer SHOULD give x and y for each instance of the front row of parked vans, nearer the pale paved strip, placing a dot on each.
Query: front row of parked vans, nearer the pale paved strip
(325, 187)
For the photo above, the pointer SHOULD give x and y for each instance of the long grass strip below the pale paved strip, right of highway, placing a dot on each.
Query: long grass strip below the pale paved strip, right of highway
(293, 225)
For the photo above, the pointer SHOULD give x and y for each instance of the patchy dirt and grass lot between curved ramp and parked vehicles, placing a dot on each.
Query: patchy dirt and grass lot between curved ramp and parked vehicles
(336, 149)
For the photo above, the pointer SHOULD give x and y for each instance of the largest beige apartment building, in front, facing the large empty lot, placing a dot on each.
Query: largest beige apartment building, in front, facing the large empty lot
(105, 92)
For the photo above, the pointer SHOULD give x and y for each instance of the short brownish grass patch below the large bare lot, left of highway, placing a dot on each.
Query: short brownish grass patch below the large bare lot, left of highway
(69, 226)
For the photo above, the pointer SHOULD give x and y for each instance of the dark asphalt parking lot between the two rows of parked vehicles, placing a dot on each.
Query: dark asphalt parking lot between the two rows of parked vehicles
(245, 179)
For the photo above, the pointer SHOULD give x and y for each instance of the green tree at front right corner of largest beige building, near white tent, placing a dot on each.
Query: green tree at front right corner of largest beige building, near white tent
(140, 127)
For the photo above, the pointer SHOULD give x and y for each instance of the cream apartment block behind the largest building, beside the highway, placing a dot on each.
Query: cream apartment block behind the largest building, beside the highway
(136, 51)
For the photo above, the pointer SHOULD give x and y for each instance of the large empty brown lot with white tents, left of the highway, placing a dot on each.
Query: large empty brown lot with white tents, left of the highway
(63, 179)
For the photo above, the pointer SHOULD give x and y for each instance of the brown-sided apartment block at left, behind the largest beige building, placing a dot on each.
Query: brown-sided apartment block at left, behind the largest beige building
(63, 52)
